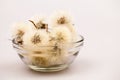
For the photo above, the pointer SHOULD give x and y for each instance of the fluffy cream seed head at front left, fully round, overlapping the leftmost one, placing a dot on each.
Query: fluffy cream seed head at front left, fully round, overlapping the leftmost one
(35, 40)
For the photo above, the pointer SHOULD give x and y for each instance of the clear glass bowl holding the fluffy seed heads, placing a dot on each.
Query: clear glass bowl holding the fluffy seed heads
(52, 60)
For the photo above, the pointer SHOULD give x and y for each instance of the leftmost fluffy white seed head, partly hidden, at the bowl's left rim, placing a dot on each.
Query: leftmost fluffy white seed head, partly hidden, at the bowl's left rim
(18, 30)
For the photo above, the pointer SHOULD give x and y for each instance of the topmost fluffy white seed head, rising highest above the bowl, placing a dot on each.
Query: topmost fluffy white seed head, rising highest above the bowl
(62, 18)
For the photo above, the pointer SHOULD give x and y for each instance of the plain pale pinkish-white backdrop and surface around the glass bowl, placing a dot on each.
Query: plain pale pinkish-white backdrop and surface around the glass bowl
(97, 20)
